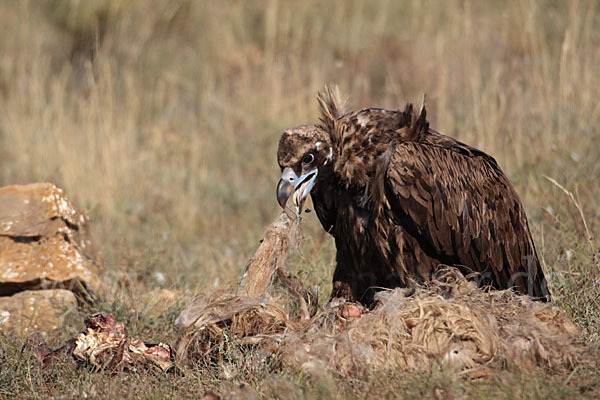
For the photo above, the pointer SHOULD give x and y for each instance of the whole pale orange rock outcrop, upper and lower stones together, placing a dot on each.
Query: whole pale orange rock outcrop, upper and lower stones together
(46, 257)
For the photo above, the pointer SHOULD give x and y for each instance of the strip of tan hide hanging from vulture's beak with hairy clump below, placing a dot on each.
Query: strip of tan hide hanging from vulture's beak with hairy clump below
(249, 314)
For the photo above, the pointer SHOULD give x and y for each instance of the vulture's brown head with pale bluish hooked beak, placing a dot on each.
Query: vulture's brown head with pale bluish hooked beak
(305, 157)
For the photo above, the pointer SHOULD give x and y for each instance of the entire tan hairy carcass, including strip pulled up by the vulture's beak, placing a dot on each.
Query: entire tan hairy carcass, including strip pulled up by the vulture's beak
(448, 322)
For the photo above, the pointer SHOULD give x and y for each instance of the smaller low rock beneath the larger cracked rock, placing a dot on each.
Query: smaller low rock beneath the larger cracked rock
(36, 310)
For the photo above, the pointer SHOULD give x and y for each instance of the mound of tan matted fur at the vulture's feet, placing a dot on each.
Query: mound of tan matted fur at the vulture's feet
(449, 323)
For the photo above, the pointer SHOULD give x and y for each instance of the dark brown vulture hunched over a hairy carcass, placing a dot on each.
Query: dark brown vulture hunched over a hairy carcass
(401, 200)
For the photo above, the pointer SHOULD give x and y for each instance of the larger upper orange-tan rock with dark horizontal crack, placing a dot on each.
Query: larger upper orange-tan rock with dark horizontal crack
(44, 242)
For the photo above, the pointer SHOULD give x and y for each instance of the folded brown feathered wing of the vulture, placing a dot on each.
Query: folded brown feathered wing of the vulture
(462, 210)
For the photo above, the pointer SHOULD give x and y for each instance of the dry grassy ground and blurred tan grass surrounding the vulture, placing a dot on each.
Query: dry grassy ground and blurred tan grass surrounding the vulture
(161, 119)
